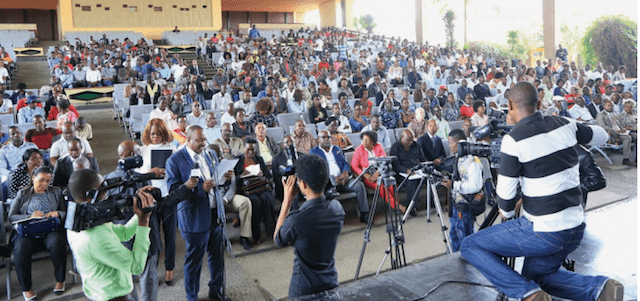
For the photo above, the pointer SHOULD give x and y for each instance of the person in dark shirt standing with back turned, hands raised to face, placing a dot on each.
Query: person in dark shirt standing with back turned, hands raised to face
(313, 229)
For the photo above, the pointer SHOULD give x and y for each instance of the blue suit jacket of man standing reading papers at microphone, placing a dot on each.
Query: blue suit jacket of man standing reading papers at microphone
(193, 211)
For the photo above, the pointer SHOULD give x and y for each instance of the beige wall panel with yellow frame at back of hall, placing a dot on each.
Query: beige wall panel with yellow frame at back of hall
(145, 20)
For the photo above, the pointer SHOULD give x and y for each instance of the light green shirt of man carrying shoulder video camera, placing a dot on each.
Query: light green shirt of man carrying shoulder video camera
(105, 265)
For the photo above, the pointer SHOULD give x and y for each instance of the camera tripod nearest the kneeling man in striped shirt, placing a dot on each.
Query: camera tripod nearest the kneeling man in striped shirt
(431, 176)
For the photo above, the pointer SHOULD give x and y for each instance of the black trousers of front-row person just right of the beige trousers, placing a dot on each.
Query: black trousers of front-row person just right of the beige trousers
(262, 209)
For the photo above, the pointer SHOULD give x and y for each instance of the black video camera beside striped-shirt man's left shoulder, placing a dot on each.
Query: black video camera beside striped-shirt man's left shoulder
(495, 130)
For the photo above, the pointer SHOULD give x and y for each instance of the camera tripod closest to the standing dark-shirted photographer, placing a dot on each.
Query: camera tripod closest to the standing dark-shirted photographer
(394, 229)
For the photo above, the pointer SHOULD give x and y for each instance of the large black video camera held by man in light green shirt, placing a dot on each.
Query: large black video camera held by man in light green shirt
(119, 205)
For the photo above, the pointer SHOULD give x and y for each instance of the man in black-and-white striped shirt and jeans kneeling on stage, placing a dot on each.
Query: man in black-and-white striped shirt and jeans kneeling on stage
(538, 158)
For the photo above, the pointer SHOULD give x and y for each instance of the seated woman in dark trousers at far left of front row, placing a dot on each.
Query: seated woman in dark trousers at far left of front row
(39, 201)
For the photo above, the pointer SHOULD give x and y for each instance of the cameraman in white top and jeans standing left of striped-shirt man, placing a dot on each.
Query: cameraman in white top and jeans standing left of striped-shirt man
(466, 187)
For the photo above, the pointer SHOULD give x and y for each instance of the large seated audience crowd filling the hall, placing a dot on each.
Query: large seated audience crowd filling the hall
(339, 83)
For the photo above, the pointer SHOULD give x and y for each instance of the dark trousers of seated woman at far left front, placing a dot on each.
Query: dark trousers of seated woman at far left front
(24, 247)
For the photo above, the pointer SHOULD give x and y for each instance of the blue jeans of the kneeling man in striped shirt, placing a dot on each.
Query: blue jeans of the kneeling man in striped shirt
(544, 253)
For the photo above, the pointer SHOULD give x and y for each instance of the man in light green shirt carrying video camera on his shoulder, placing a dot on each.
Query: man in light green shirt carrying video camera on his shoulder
(106, 266)
